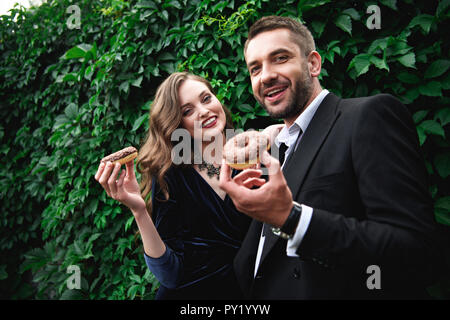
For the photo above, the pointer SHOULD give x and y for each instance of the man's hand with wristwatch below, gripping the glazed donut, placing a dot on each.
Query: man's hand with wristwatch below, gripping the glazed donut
(270, 203)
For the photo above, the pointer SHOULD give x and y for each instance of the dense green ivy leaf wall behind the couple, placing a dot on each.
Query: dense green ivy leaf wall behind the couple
(68, 96)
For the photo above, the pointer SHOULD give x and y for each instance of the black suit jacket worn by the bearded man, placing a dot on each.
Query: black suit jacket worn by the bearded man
(359, 167)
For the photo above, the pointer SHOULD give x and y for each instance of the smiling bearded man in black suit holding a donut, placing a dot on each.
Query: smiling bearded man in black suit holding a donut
(362, 223)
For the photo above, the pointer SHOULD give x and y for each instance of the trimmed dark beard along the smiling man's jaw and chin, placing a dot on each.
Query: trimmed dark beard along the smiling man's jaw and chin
(302, 92)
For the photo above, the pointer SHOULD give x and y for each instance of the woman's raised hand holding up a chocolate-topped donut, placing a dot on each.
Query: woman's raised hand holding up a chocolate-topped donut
(125, 189)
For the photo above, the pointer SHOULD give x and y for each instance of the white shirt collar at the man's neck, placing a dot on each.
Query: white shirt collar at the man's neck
(289, 135)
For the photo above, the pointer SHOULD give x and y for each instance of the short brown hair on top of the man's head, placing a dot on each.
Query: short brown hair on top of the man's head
(299, 33)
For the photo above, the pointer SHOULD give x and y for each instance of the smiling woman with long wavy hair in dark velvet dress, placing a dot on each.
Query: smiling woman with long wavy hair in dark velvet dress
(190, 229)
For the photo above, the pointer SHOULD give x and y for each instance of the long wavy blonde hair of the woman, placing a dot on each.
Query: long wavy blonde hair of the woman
(154, 159)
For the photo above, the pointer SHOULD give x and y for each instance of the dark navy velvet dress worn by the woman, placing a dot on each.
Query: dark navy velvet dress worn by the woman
(202, 234)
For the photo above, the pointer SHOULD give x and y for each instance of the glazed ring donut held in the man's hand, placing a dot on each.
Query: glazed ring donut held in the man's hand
(243, 150)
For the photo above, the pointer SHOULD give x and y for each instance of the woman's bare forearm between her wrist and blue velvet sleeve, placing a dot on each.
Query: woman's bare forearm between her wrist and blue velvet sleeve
(153, 245)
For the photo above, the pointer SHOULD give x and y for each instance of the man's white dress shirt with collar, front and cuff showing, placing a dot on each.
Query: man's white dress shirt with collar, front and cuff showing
(289, 136)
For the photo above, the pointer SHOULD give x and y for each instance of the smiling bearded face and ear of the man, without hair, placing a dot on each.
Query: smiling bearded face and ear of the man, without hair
(284, 87)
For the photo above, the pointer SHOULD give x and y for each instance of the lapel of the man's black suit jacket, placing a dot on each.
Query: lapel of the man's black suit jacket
(298, 163)
